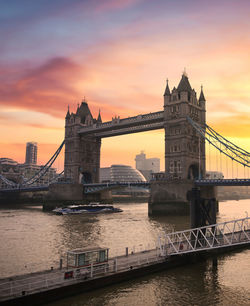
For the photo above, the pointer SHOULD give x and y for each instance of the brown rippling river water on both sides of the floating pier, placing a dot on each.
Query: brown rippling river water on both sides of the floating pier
(33, 240)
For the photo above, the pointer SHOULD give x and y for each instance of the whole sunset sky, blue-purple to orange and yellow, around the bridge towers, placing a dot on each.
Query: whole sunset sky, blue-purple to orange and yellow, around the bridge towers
(118, 54)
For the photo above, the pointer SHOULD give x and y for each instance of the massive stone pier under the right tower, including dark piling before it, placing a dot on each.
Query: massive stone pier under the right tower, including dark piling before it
(180, 197)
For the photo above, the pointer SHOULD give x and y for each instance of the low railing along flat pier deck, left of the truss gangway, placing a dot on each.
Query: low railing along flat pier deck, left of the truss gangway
(53, 279)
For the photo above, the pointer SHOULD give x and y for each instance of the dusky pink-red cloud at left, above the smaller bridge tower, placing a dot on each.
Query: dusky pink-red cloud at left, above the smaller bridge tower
(47, 88)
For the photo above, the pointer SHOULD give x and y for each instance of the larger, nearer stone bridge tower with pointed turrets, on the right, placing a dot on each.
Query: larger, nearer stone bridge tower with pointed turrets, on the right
(184, 148)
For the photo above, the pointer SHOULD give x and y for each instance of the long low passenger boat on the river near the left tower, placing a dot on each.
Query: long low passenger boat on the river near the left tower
(92, 208)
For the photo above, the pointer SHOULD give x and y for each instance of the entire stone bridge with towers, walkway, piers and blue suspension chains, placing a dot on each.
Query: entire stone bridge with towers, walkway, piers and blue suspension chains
(183, 119)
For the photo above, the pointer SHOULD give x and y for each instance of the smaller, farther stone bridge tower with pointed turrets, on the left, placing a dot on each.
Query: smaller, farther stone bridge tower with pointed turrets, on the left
(82, 153)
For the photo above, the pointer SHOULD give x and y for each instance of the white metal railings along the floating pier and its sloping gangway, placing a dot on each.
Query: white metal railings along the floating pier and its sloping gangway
(215, 236)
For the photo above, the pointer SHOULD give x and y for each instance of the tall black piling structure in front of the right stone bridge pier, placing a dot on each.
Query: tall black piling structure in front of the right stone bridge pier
(202, 210)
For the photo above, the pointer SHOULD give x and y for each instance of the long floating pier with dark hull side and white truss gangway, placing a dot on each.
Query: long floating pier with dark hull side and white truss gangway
(173, 249)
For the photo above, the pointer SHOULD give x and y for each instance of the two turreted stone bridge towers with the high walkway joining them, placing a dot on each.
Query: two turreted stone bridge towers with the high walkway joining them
(184, 148)
